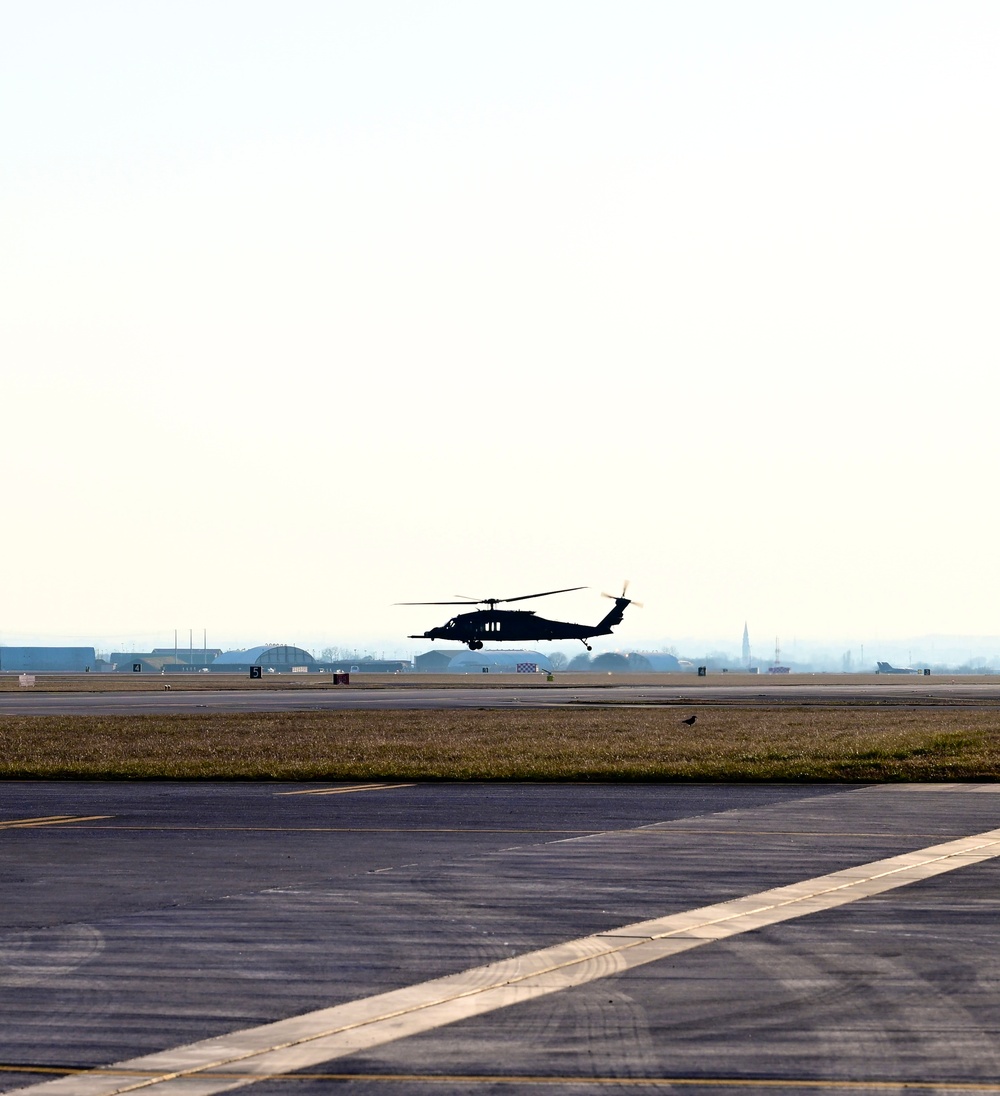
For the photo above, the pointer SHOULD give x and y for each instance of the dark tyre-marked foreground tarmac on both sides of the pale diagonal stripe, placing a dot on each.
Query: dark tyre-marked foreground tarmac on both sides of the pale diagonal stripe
(142, 918)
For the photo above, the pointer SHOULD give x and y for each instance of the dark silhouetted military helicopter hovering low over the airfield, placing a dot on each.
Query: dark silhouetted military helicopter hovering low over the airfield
(519, 626)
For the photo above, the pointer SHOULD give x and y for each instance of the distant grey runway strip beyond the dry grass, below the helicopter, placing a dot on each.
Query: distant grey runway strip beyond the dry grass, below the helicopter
(175, 701)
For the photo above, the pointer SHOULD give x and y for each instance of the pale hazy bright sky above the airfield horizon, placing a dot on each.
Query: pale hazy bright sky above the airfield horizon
(308, 309)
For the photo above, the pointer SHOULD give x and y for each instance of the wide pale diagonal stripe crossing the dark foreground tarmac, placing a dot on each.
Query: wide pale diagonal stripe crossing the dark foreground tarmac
(328, 1034)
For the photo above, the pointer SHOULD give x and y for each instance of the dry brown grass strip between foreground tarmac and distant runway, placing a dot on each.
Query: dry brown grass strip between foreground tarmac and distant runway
(778, 744)
